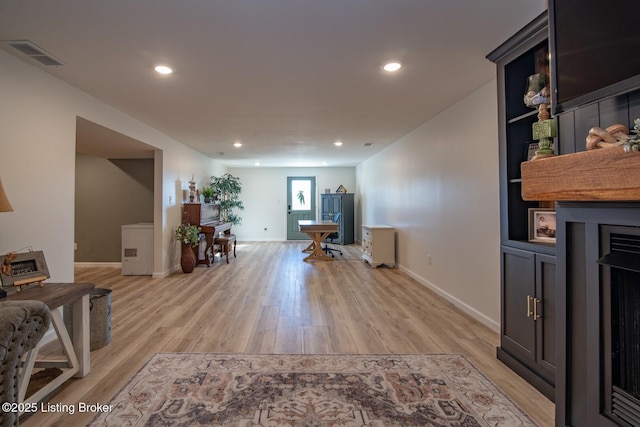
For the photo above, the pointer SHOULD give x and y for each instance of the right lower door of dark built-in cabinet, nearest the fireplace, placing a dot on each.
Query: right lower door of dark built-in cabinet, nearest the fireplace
(546, 309)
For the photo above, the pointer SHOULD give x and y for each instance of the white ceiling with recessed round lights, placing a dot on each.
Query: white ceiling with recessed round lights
(286, 78)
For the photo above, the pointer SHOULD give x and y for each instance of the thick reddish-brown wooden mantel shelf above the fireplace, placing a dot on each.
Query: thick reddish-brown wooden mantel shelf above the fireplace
(605, 174)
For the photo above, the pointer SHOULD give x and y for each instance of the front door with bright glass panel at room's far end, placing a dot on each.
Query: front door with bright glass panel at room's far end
(301, 204)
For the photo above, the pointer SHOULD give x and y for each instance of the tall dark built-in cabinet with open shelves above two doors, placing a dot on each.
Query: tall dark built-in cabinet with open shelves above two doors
(527, 343)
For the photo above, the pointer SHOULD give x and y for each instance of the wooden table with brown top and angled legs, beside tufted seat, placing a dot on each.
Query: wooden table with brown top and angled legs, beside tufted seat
(55, 295)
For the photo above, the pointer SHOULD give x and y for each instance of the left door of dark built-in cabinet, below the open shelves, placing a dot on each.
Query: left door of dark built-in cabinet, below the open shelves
(518, 291)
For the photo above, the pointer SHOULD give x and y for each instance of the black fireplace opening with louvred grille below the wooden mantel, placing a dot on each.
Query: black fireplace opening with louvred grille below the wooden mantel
(621, 328)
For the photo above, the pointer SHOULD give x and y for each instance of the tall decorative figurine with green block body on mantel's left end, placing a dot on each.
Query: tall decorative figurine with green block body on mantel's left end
(537, 96)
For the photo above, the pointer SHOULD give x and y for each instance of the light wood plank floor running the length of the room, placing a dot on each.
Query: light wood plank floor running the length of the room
(267, 300)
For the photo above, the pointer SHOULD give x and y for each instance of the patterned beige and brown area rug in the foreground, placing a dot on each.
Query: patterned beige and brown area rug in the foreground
(206, 389)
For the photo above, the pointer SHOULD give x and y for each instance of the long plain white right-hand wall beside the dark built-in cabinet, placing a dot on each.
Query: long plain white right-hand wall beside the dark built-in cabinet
(439, 186)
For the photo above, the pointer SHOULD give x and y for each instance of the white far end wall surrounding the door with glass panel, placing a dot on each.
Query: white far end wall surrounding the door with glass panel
(264, 194)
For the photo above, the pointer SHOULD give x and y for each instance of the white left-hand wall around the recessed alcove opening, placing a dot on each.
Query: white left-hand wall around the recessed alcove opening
(37, 165)
